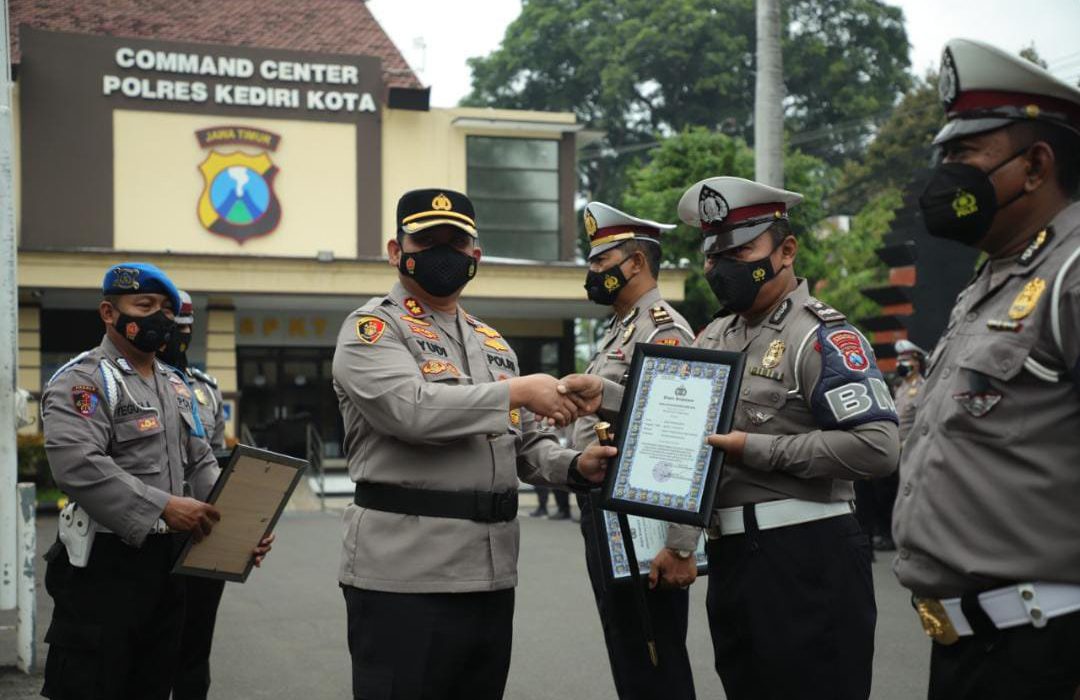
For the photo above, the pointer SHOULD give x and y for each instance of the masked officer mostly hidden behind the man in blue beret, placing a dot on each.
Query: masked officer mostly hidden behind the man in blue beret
(202, 595)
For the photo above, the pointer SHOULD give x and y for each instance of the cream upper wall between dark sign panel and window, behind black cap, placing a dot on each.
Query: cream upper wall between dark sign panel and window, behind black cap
(425, 150)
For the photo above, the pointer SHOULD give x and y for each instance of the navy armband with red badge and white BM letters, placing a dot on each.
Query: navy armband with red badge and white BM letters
(852, 391)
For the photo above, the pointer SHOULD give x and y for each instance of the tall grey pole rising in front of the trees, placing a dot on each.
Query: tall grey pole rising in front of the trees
(769, 98)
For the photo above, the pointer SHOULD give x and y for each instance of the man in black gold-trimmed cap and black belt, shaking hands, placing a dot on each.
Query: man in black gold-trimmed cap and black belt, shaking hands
(439, 429)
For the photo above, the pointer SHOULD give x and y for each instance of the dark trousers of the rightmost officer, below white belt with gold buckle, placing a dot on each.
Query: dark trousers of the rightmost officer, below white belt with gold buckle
(1019, 664)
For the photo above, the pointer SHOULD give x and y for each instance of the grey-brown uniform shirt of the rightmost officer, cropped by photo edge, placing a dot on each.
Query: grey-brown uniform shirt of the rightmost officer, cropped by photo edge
(991, 477)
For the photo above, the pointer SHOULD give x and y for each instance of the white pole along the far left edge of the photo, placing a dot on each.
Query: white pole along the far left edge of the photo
(9, 332)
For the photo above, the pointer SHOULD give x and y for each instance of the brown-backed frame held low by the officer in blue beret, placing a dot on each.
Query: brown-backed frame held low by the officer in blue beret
(252, 492)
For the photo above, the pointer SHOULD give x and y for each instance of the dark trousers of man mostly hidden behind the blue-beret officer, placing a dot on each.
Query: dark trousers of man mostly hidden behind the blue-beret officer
(193, 671)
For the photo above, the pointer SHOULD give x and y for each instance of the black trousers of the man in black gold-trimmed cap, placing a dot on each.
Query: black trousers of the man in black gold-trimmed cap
(429, 647)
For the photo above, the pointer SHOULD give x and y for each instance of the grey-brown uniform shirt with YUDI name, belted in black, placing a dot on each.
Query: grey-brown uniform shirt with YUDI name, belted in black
(424, 408)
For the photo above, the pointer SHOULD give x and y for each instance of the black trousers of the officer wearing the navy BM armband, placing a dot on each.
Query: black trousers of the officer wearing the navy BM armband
(792, 611)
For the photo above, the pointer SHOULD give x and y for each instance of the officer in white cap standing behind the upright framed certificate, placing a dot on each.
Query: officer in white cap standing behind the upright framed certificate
(624, 267)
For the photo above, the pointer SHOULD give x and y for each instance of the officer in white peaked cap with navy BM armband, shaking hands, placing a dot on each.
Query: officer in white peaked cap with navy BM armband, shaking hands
(791, 598)
